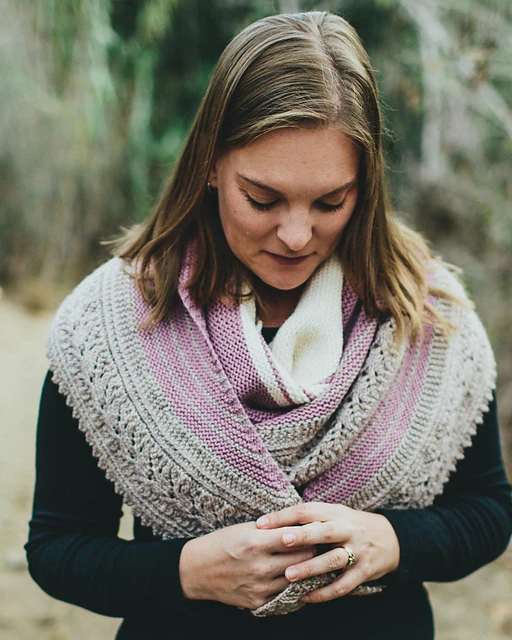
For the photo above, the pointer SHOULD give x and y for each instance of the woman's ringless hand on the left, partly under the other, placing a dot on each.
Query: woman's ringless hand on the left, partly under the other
(239, 565)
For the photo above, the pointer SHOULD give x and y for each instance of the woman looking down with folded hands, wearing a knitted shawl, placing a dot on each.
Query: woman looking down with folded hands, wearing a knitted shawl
(295, 399)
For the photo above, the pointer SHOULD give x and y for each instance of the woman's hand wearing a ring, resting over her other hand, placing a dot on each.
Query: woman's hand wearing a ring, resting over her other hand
(369, 536)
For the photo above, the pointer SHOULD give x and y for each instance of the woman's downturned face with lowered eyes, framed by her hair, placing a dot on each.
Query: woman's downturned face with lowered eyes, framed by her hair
(285, 199)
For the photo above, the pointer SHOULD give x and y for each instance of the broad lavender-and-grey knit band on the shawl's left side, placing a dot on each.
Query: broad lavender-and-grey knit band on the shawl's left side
(205, 404)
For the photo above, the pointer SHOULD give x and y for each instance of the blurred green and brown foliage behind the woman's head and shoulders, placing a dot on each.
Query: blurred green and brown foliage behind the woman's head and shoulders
(97, 95)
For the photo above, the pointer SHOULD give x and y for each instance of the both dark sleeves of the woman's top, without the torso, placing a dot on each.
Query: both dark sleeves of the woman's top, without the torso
(75, 555)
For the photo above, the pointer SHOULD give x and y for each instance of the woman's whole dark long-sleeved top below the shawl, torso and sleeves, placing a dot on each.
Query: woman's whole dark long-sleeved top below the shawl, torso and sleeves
(75, 555)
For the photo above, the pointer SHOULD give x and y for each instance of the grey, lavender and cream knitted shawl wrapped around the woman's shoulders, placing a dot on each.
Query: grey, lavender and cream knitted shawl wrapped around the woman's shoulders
(196, 424)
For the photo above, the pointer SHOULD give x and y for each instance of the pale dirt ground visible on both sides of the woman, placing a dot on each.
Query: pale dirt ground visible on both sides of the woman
(477, 608)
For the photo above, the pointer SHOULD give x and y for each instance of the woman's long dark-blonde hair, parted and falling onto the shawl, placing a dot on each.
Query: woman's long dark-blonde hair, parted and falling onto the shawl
(284, 71)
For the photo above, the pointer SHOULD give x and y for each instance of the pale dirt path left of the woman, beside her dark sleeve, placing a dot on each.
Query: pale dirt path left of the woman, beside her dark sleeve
(26, 613)
